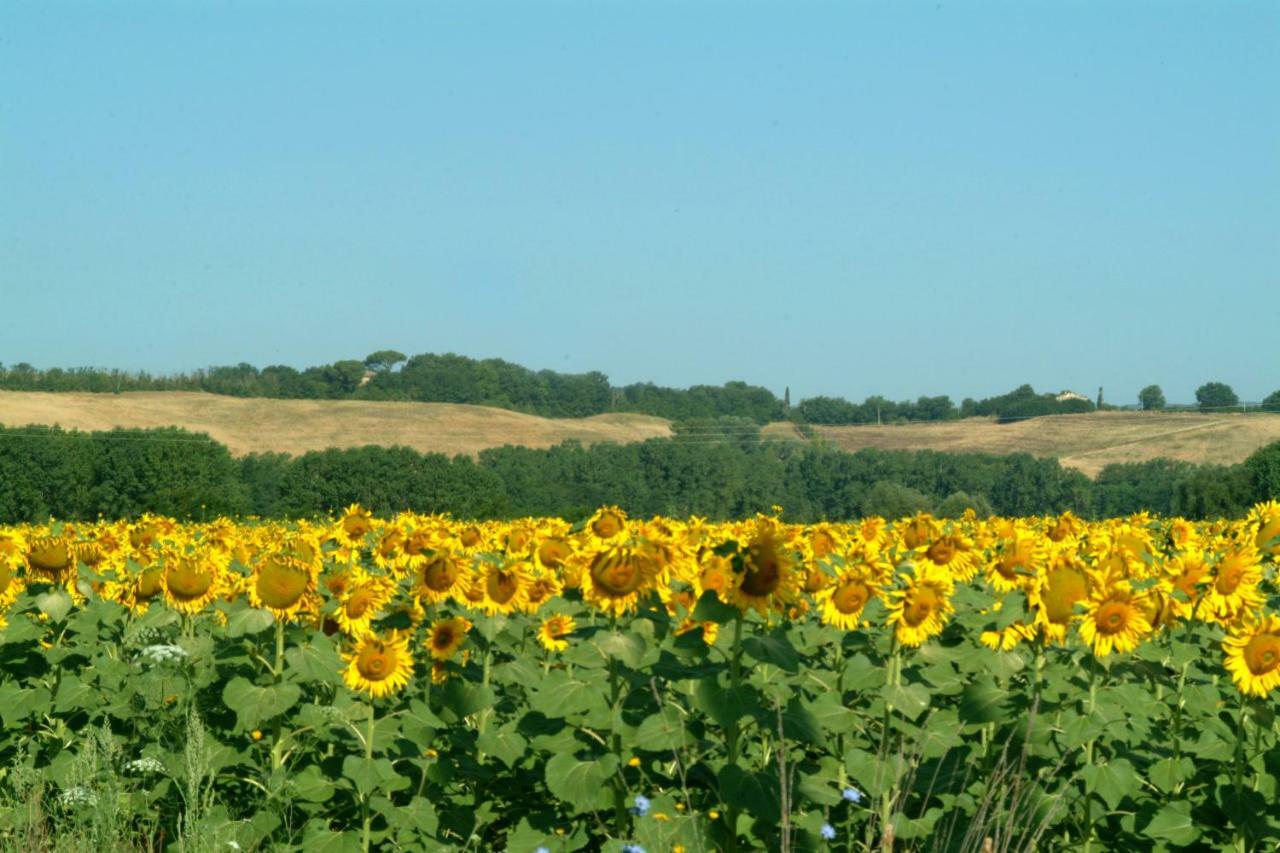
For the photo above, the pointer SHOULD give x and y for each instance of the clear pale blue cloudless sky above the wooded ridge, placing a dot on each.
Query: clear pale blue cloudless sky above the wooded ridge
(847, 199)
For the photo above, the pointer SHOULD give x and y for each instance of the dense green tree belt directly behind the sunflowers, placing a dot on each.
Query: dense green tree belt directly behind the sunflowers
(72, 476)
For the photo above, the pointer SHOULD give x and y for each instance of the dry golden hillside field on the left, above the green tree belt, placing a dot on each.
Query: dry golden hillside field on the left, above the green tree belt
(249, 426)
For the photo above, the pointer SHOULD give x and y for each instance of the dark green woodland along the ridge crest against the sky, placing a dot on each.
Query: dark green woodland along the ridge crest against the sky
(492, 382)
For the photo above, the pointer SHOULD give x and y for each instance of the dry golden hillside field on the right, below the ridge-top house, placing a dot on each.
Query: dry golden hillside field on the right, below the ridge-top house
(1086, 443)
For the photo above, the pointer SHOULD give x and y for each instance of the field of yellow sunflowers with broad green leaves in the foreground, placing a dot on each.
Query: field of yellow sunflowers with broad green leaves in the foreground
(423, 683)
